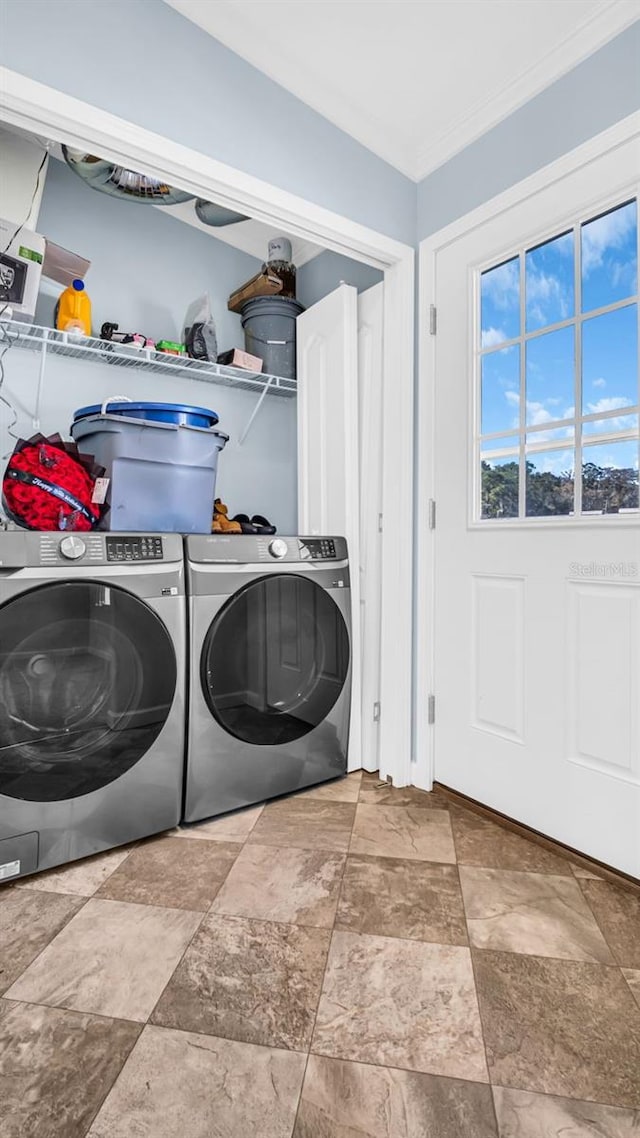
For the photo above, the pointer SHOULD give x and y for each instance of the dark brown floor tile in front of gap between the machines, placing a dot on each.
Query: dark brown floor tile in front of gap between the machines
(179, 876)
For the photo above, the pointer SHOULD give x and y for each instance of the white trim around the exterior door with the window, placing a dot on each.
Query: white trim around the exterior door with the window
(426, 665)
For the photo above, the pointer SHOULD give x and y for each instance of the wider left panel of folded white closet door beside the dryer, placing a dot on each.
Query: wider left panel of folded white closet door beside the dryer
(329, 449)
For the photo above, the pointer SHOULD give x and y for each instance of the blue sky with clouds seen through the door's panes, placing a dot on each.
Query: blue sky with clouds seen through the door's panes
(610, 342)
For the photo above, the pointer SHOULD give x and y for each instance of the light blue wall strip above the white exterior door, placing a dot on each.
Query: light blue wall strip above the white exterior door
(587, 101)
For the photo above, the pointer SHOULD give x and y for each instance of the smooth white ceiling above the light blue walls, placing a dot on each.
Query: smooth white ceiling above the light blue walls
(415, 81)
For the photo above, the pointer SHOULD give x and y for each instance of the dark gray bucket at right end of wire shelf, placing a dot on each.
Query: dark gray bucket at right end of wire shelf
(270, 333)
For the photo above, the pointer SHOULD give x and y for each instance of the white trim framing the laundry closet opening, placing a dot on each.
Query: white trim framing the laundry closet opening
(47, 112)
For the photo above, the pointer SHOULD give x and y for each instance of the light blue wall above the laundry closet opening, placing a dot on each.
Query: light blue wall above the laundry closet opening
(142, 61)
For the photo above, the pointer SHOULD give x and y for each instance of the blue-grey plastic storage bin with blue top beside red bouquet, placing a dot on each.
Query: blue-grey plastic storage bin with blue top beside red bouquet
(162, 461)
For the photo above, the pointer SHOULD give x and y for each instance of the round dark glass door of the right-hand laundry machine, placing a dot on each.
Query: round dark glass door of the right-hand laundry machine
(275, 661)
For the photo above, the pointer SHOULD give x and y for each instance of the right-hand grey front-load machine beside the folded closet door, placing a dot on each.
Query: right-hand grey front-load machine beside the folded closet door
(270, 667)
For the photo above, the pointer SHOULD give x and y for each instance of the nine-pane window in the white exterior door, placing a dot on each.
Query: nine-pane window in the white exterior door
(559, 377)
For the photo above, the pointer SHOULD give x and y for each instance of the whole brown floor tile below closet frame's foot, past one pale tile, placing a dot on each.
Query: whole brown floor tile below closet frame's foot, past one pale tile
(393, 897)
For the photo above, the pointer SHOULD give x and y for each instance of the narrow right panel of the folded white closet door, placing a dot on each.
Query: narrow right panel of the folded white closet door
(371, 401)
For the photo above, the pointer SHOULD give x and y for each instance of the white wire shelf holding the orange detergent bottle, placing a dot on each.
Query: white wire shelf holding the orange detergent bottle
(36, 339)
